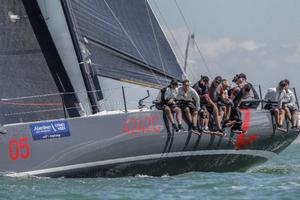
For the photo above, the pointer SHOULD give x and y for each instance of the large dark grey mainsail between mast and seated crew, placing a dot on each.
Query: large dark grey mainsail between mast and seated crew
(124, 39)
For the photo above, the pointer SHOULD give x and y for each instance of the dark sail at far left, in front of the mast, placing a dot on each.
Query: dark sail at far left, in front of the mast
(29, 67)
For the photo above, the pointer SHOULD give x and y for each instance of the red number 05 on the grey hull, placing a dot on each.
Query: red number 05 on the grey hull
(19, 148)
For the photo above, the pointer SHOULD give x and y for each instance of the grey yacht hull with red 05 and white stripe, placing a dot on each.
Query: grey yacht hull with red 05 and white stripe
(141, 142)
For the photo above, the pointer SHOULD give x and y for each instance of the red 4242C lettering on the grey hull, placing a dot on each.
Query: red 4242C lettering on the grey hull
(141, 124)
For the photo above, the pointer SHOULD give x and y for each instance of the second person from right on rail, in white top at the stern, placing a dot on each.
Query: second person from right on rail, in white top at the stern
(273, 97)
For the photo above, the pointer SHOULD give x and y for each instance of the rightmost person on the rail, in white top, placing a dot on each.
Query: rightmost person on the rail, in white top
(288, 103)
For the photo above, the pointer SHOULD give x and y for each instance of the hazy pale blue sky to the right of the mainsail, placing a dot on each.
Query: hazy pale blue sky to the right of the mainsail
(258, 37)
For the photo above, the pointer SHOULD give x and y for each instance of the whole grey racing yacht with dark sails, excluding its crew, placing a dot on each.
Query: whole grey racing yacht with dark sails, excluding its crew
(74, 101)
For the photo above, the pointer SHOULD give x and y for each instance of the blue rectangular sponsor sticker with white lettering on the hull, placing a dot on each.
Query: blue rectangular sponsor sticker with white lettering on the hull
(49, 130)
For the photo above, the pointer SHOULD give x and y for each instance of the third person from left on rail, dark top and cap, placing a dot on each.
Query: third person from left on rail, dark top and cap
(202, 87)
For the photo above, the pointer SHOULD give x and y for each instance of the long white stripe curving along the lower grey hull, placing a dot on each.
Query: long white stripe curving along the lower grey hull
(256, 153)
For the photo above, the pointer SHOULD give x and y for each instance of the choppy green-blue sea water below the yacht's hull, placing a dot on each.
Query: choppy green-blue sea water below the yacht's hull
(277, 179)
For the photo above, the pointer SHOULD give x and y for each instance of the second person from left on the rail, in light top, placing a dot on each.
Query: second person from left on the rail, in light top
(190, 103)
